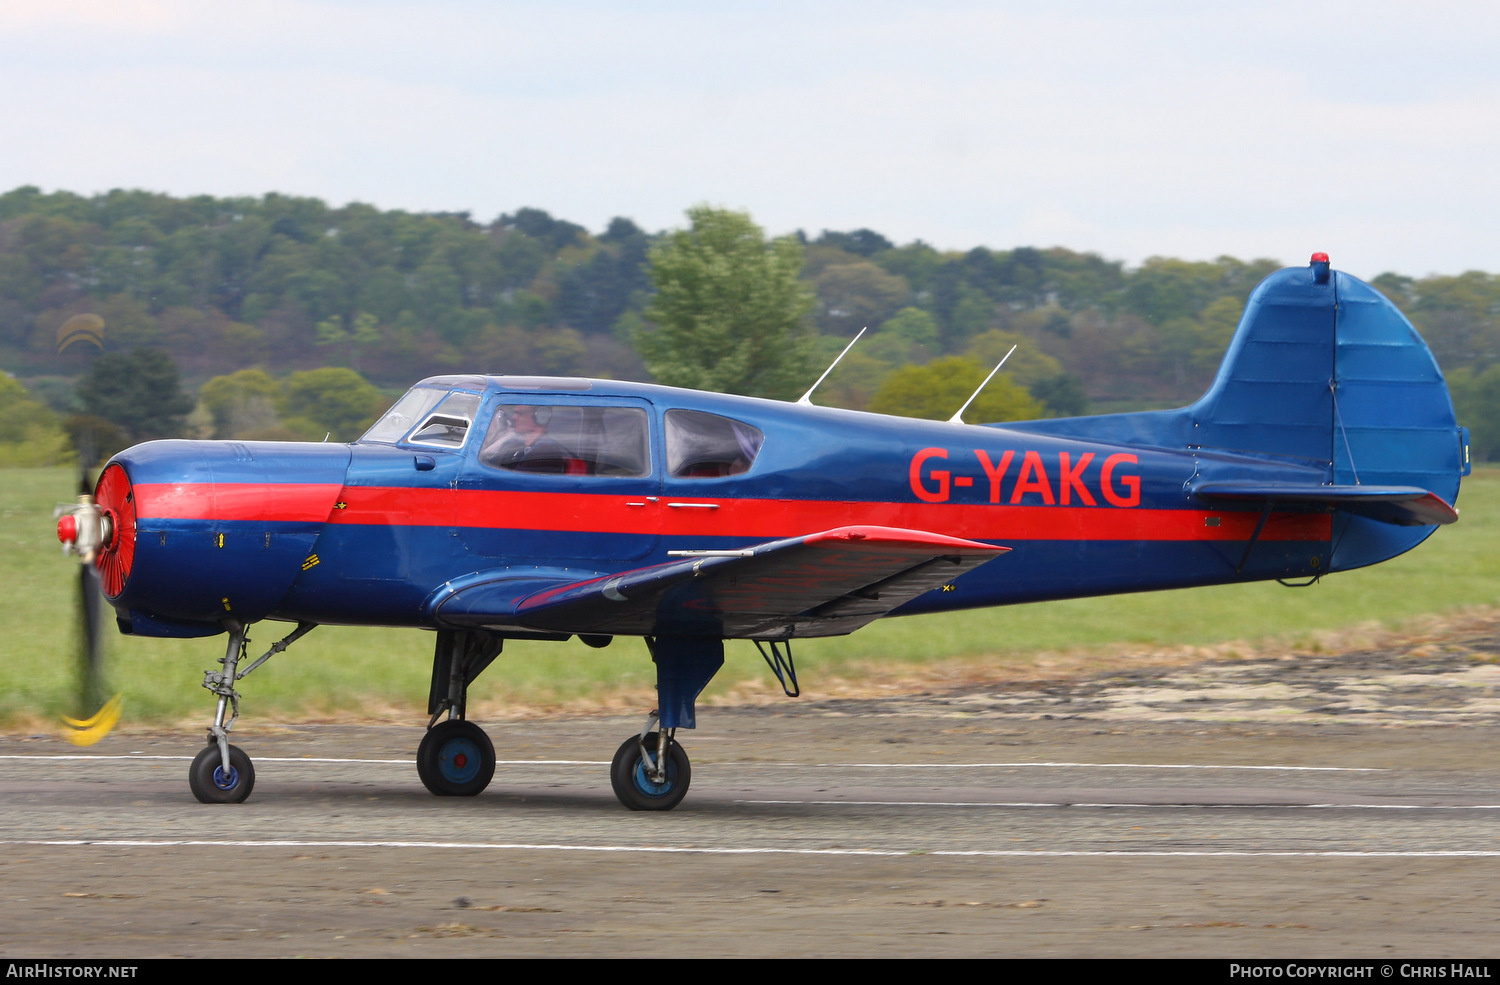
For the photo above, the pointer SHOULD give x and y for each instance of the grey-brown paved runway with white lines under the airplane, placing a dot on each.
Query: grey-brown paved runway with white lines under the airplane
(841, 828)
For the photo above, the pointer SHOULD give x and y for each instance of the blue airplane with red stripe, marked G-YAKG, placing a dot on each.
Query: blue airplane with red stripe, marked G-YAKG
(491, 509)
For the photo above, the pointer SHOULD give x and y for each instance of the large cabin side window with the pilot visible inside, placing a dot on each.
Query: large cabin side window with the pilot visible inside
(568, 440)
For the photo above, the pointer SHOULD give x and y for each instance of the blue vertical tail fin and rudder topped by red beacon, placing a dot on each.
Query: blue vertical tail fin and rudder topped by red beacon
(1327, 377)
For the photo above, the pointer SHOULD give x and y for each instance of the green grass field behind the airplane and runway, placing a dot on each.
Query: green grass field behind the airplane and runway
(385, 672)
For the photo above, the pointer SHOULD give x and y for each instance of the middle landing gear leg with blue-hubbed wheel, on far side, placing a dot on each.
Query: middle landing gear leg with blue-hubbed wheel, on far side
(457, 759)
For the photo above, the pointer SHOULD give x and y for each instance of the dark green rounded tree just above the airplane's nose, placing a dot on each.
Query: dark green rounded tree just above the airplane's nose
(139, 394)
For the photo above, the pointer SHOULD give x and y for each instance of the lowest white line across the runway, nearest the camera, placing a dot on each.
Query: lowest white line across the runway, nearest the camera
(625, 849)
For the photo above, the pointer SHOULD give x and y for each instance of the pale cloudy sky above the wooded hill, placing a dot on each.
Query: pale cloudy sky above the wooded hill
(1133, 130)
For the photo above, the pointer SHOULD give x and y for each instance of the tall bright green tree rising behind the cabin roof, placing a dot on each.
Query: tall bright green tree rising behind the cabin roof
(731, 314)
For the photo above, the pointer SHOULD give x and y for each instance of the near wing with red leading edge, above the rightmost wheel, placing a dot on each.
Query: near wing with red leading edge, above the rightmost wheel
(824, 584)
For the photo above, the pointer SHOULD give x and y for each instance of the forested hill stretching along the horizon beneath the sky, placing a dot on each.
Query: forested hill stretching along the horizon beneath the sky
(289, 286)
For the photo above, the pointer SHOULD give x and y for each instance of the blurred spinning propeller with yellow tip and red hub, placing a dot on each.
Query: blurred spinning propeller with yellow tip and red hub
(89, 533)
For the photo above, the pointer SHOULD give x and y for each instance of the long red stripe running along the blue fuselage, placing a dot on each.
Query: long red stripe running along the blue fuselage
(764, 519)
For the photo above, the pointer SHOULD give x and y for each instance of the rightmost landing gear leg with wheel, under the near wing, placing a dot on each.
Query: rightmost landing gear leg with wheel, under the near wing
(652, 771)
